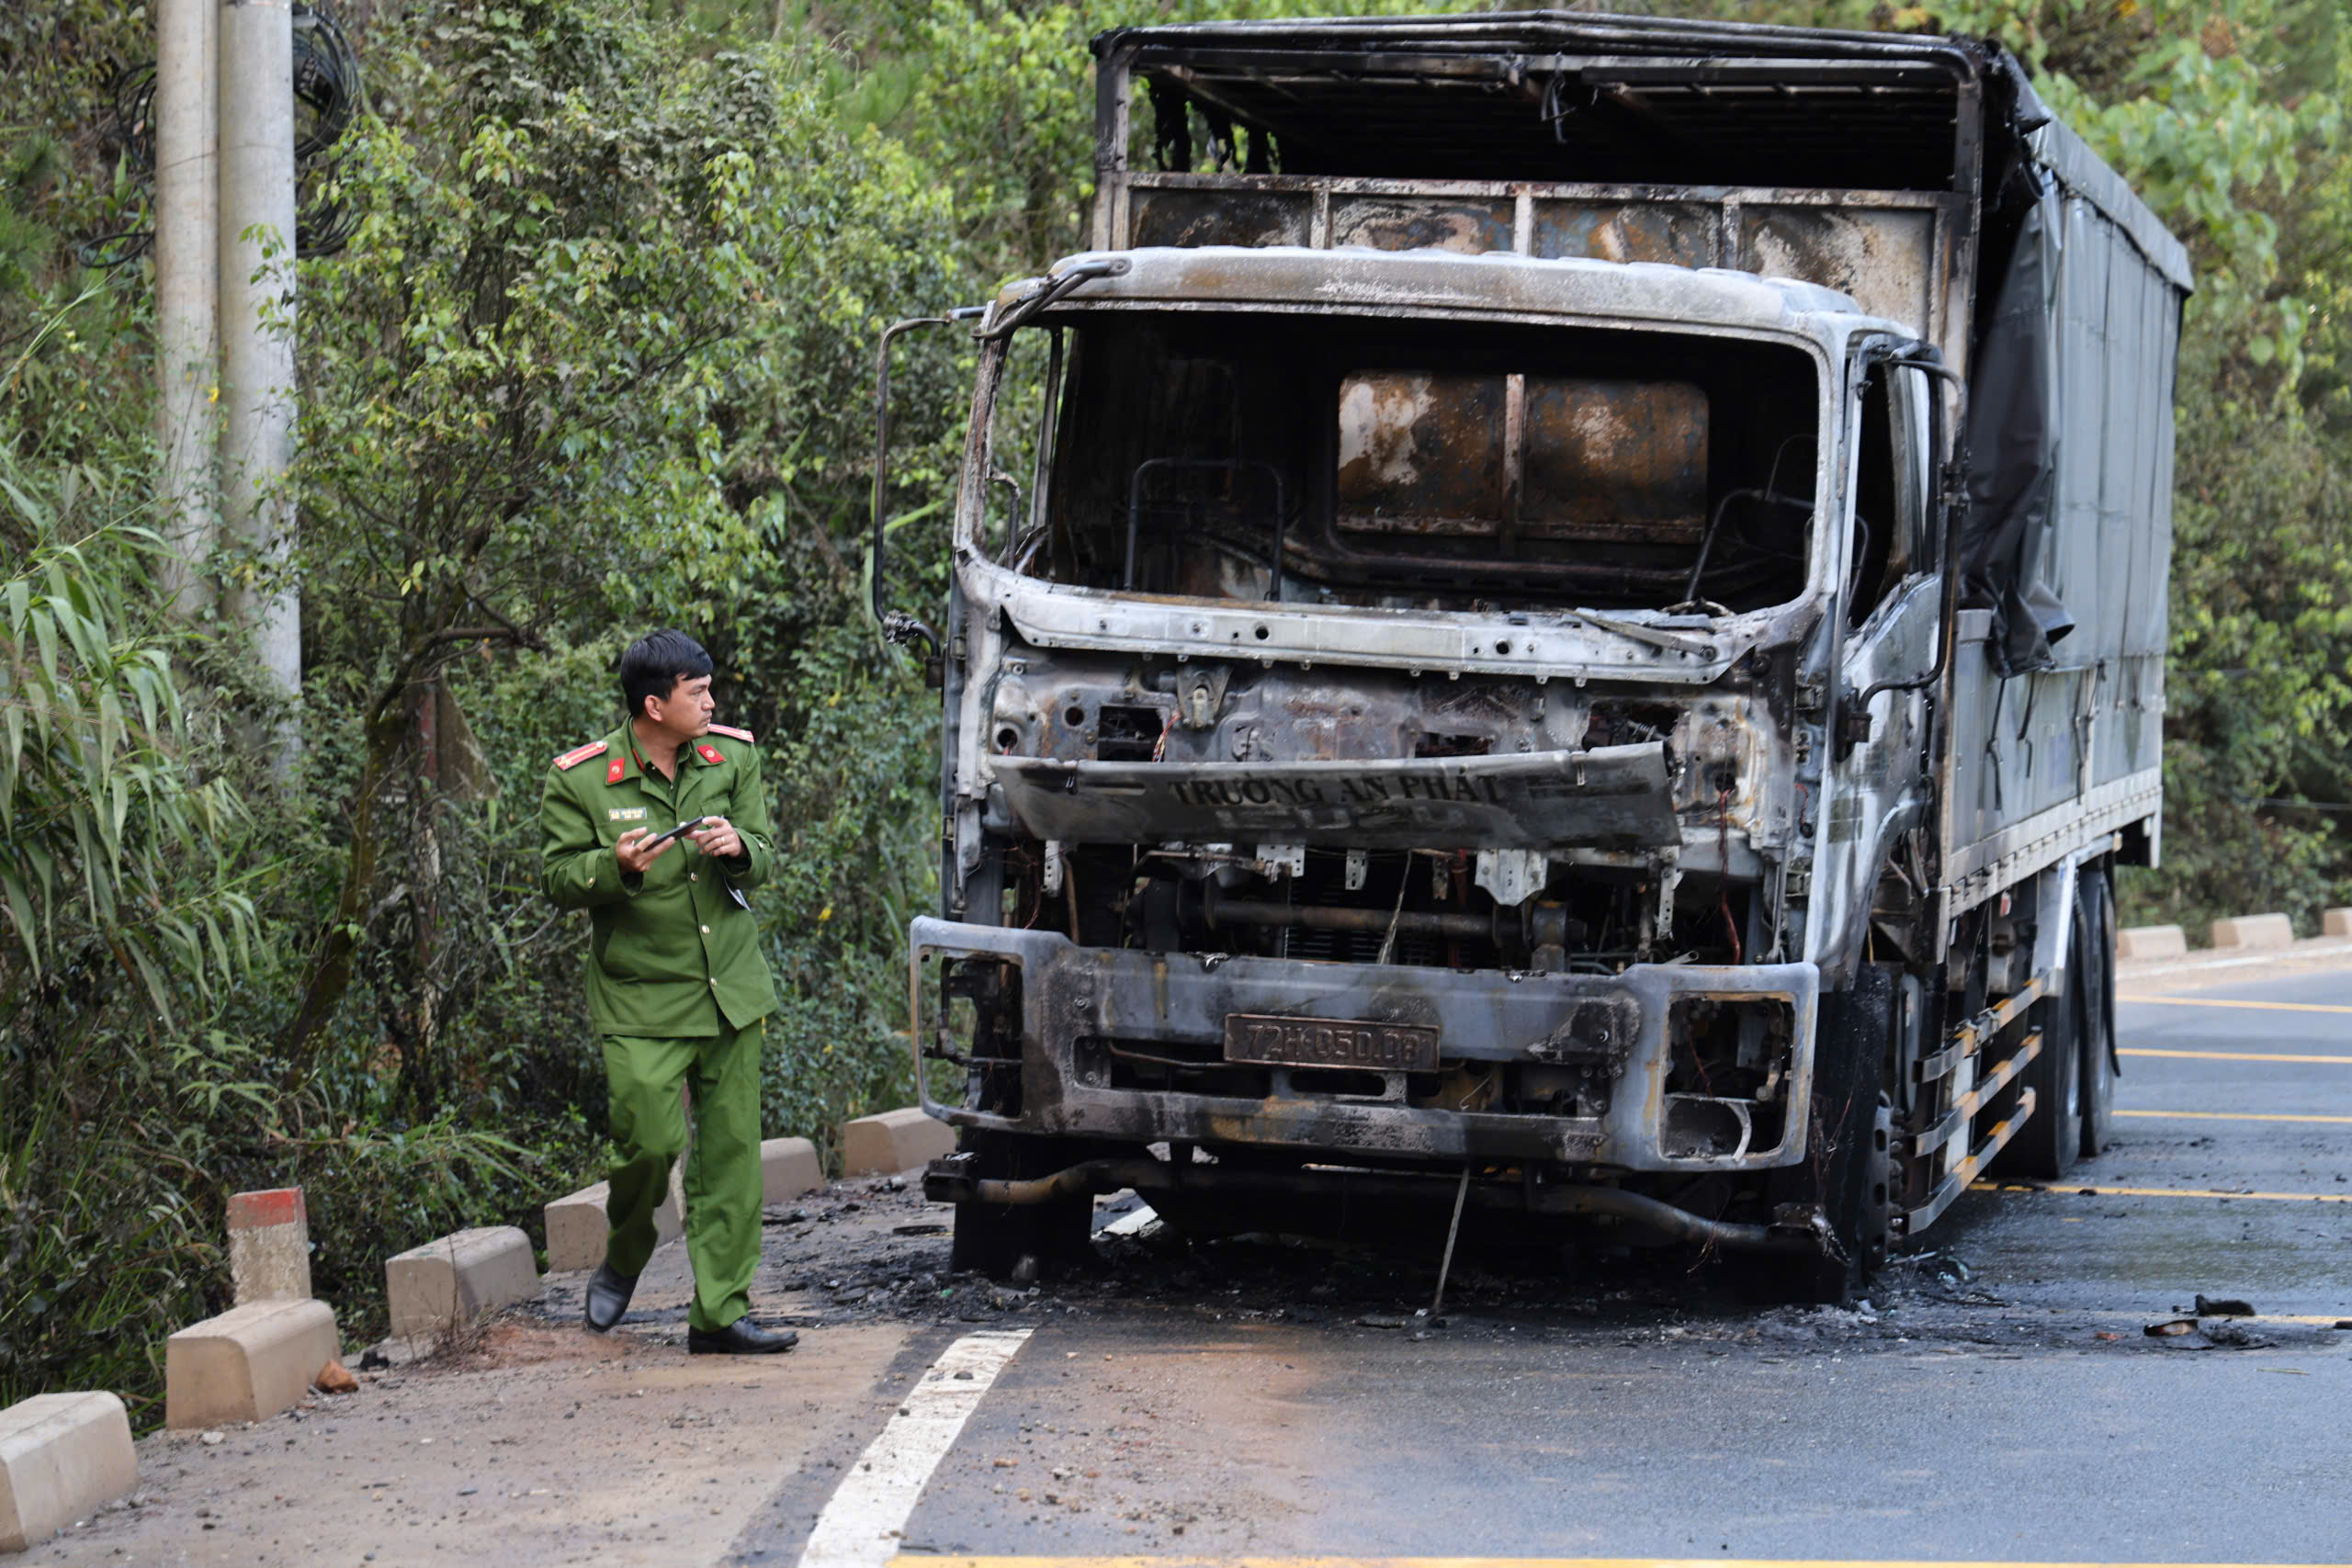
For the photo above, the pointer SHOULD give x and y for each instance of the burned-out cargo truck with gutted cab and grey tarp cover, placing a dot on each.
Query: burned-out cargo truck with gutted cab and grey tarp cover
(1561, 619)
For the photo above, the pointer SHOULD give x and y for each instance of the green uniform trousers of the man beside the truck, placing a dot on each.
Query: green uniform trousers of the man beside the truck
(723, 1172)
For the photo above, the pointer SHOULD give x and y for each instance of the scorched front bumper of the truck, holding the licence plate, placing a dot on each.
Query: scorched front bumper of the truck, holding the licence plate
(1071, 1031)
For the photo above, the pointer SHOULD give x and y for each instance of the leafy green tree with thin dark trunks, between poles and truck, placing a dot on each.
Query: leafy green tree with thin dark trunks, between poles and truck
(509, 387)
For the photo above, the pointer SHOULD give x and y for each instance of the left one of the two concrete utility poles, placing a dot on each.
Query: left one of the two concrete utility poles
(187, 290)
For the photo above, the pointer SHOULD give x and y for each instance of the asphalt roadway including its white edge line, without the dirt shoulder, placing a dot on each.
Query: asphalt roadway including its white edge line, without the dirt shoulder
(1998, 1402)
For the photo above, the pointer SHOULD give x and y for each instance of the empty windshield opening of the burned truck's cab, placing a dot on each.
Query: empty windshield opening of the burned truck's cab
(1408, 464)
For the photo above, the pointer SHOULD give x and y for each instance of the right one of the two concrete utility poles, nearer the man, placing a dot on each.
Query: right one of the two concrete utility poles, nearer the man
(258, 314)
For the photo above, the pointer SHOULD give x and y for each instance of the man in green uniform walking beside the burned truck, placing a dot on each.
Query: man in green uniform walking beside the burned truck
(676, 981)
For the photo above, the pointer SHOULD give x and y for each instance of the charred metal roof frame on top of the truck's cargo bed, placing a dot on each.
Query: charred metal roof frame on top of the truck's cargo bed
(1605, 100)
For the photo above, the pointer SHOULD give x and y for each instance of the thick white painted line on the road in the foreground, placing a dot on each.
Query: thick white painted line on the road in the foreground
(867, 1513)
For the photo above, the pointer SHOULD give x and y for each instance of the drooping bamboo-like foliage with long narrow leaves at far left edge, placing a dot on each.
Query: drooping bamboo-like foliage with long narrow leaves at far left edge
(126, 916)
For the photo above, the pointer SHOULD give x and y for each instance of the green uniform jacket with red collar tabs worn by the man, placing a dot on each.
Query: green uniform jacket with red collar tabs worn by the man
(671, 939)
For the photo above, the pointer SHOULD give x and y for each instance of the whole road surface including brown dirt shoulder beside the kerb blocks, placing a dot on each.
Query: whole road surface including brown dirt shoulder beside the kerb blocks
(1283, 1405)
